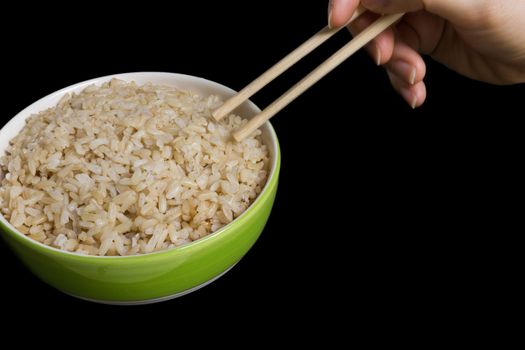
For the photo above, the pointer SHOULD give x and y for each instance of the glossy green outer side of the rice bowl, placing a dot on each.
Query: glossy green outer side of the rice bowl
(149, 276)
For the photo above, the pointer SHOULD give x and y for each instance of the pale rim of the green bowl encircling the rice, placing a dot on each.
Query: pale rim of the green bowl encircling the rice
(272, 176)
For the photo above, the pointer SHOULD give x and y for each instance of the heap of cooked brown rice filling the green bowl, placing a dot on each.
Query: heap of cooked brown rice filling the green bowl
(122, 169)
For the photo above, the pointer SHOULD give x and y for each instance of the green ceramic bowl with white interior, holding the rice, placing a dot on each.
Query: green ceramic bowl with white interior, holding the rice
(150, 277)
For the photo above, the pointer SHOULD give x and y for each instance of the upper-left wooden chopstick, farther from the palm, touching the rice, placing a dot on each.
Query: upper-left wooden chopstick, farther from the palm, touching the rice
(295, 56)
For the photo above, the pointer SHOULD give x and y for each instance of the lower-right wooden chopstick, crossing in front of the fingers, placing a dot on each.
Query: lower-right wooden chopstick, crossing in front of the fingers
(326, 67)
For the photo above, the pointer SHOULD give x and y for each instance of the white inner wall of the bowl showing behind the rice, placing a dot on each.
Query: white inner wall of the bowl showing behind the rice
(186, 82)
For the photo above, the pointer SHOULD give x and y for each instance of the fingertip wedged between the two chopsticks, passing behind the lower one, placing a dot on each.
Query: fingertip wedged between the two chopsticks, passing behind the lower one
(382, 46)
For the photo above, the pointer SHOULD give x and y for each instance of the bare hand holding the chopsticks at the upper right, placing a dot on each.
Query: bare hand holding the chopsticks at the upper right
(481, 39)
